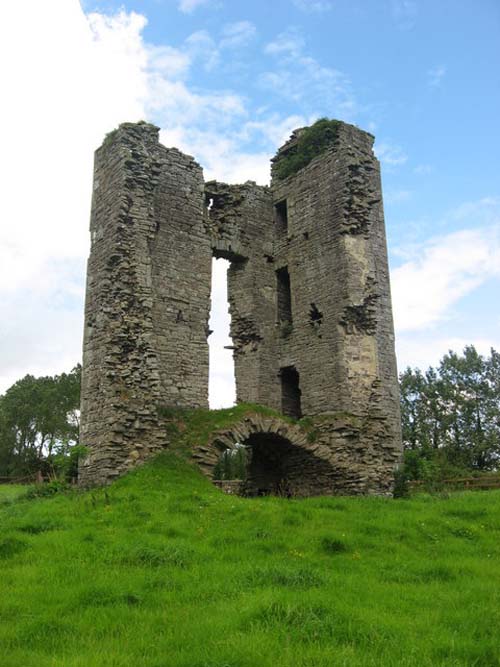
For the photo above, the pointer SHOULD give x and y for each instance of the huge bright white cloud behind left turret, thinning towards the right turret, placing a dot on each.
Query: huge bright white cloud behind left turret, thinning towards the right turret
(58, 110)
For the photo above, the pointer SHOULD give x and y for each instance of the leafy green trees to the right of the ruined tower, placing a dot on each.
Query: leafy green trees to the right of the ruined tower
(451, 415)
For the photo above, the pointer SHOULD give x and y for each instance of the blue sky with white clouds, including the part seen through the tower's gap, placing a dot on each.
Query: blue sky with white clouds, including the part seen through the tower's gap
(227, 81)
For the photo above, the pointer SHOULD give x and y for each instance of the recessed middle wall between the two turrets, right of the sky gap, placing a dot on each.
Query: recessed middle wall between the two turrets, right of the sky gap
(241, 230)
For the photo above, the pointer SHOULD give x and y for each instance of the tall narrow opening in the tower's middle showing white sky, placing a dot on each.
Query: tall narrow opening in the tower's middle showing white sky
(221, 385)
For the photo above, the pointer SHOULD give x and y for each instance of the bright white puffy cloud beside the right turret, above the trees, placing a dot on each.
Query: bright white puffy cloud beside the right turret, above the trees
(444, 270)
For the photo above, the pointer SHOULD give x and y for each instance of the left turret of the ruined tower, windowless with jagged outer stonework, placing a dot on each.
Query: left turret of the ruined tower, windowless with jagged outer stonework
(147, 301)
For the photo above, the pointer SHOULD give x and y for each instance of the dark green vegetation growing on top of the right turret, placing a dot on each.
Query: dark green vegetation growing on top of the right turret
(311, 142)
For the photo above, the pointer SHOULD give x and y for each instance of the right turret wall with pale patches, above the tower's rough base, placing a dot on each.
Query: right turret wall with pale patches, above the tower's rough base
(341, 340)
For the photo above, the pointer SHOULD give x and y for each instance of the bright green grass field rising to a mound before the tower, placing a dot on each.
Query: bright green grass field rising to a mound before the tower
(161, 570)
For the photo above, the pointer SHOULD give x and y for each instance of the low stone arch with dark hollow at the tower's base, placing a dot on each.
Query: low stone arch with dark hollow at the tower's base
(282, 458)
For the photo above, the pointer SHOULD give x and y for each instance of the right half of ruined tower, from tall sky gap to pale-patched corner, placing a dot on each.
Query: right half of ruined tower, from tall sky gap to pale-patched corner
(323, 240)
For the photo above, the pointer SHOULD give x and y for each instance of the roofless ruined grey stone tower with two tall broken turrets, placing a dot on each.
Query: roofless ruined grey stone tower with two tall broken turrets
(308, 289)
